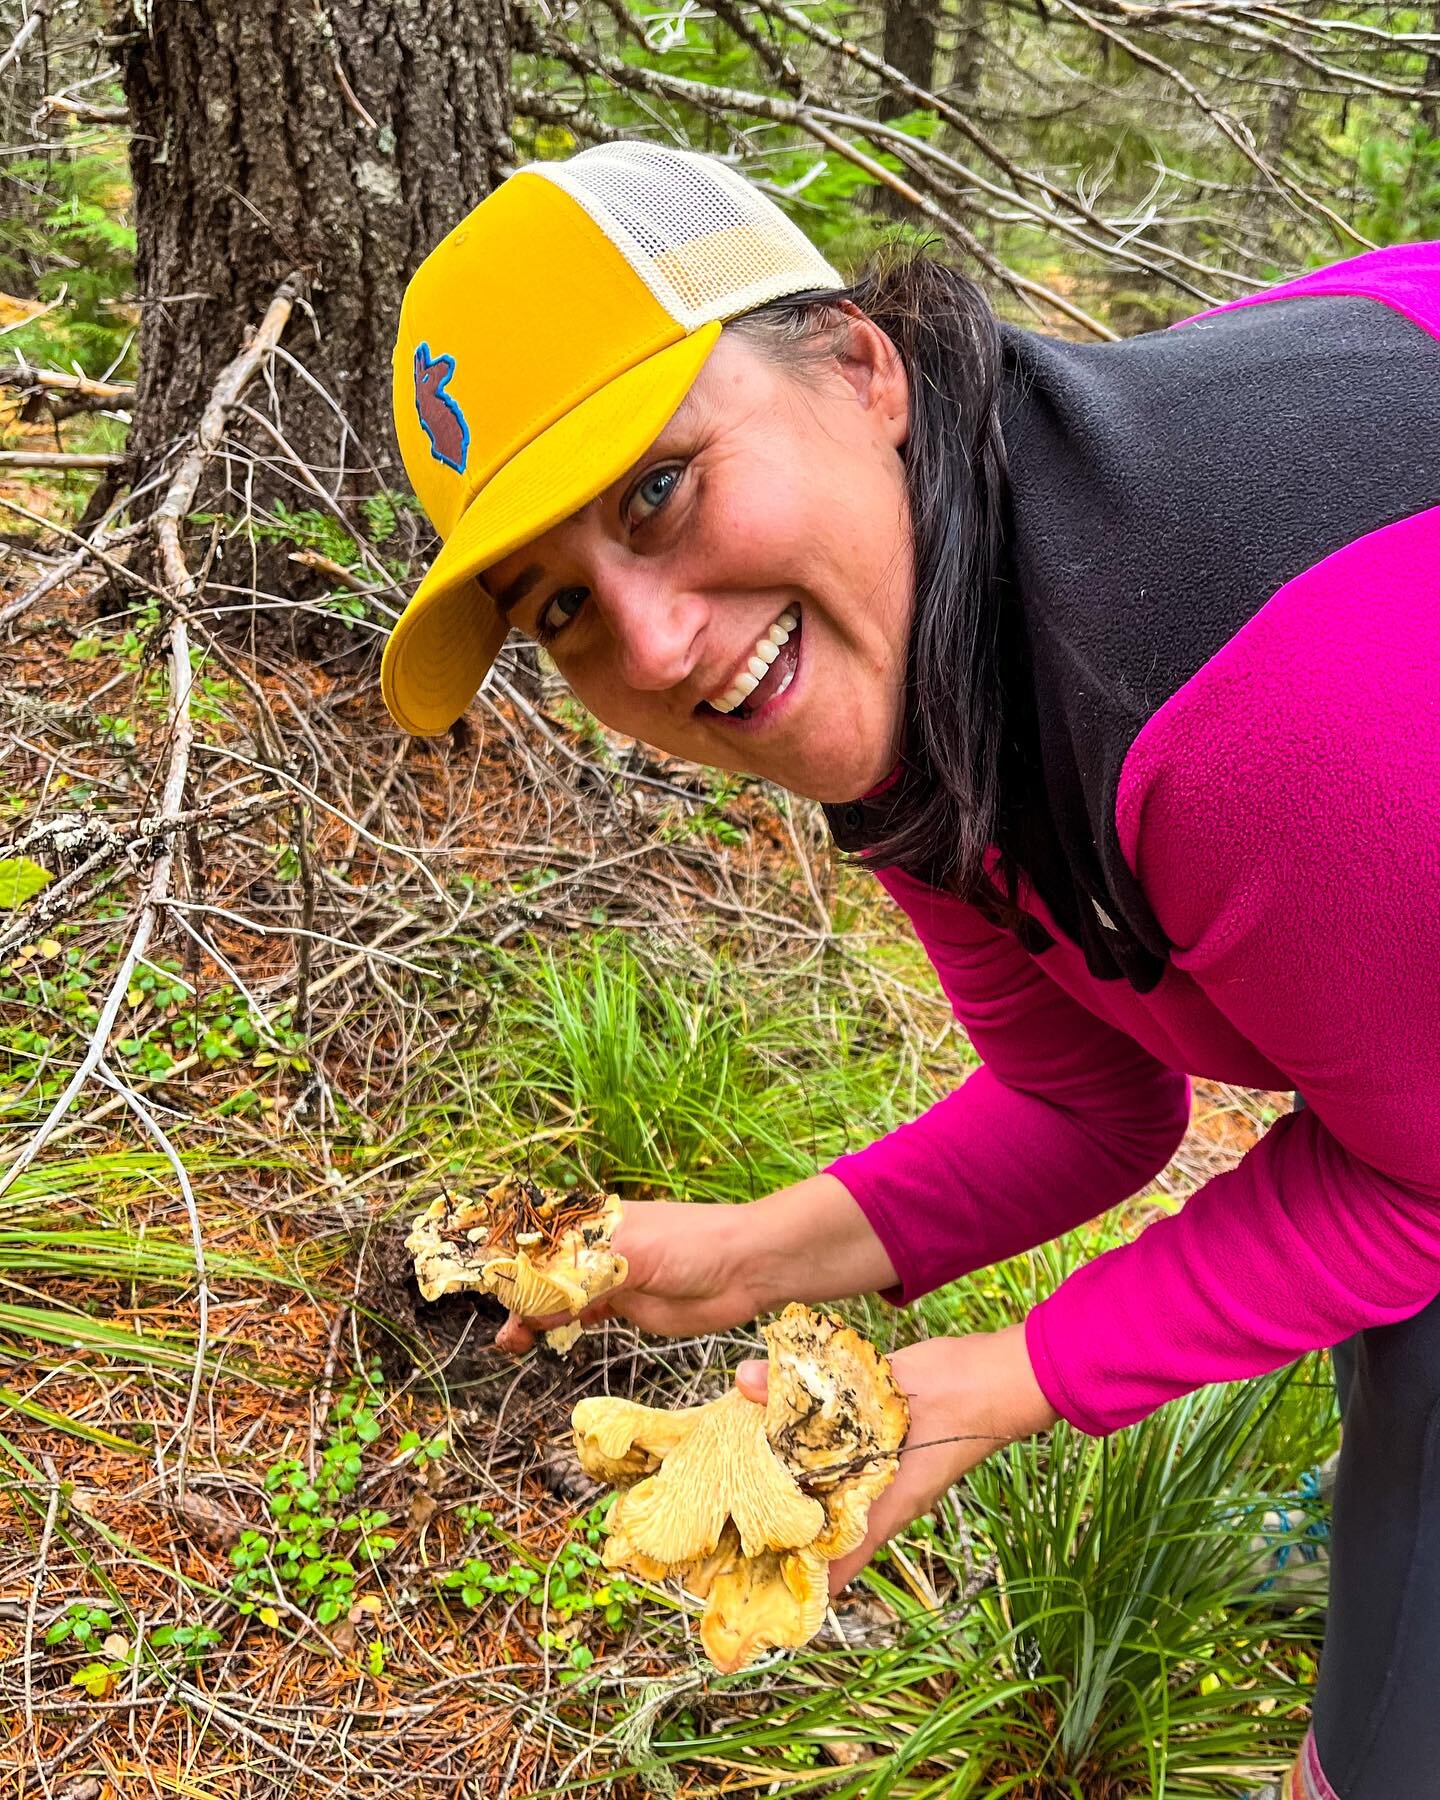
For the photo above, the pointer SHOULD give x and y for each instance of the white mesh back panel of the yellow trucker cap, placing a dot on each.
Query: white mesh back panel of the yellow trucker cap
(705, 242)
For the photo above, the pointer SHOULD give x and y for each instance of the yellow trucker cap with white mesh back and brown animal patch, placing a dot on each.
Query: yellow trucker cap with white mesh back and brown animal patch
(543, 348)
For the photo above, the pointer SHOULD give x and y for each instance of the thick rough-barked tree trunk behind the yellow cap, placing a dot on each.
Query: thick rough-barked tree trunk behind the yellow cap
(337, 139)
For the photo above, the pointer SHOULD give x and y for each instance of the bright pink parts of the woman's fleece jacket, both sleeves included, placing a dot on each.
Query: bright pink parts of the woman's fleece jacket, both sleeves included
(1282, 818)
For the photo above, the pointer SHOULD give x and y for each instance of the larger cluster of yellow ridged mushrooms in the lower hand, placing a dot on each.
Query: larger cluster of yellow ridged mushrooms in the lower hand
(750, 1506)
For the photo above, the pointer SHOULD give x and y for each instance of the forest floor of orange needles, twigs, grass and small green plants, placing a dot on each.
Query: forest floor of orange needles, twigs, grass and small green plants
(273, 1525)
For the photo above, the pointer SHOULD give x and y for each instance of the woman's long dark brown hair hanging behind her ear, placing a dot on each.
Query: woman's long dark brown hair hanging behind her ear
(946, 807)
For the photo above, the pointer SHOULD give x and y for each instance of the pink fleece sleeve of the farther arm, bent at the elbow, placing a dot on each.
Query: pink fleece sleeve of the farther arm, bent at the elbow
(1066, 1119)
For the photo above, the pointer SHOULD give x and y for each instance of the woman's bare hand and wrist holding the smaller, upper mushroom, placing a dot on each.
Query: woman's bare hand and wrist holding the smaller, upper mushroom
(710, 1266)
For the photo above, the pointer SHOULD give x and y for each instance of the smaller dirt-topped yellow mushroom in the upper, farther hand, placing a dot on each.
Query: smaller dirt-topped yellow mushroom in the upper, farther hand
(534, 1250)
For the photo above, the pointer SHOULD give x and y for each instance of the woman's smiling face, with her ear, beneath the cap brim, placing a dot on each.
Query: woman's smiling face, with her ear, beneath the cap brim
(742, 597)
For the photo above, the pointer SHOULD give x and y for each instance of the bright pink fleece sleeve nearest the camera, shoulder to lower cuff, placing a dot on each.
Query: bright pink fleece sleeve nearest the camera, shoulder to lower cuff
(1282, 814)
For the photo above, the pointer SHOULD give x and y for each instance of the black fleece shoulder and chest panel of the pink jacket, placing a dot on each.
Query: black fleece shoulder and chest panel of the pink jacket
(1162, 490)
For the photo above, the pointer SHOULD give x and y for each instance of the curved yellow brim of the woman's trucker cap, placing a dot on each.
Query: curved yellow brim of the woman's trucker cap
(451, 633)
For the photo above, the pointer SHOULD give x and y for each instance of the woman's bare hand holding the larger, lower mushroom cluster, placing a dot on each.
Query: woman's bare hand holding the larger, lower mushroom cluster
(969, 1396)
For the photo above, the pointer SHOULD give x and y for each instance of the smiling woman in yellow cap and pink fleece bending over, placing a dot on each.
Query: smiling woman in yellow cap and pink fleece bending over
(1119, 665)
